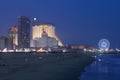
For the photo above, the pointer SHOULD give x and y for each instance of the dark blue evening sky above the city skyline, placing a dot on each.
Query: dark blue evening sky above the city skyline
(77, 21)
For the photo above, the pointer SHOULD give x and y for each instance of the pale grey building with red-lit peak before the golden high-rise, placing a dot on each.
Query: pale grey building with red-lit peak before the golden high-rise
(44, 42)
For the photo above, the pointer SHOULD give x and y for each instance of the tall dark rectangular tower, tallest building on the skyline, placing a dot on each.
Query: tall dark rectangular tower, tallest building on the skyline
(23, 32)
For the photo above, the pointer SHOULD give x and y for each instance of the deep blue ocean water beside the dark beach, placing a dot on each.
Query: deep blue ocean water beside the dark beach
(107, 67)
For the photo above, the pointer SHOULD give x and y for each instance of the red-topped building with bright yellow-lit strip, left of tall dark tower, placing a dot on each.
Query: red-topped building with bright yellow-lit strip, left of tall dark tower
(13, 34)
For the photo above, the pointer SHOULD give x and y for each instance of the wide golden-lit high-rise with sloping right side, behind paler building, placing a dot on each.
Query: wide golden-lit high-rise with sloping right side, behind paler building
(50, 30)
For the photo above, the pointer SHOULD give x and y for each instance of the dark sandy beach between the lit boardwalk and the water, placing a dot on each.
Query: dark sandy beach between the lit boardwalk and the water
(56, 66)
